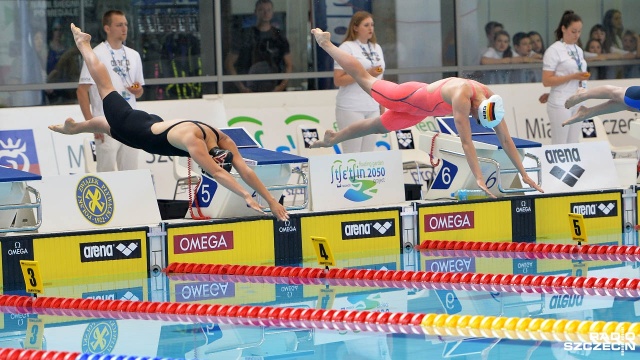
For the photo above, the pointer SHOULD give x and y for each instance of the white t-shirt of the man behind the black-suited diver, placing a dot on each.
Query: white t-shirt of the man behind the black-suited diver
(129, 73)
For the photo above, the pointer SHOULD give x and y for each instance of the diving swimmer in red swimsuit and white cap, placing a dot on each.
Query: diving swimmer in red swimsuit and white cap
(409, 103)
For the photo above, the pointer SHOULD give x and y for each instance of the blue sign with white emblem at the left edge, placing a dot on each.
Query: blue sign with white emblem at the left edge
(18, 151)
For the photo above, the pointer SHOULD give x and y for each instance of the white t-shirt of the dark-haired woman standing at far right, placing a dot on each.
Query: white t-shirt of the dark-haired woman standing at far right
(563, 59)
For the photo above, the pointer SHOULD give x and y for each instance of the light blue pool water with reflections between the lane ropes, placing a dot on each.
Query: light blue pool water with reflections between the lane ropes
(158, 335)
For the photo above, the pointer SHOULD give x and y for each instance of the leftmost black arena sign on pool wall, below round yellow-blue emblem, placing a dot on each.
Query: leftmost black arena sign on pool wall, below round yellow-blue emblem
(110, 250)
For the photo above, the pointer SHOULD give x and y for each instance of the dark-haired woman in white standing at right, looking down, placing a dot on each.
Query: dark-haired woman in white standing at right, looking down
(564, 69)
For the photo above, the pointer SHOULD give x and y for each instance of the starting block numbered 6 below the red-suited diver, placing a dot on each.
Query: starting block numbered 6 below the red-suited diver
(453, 172)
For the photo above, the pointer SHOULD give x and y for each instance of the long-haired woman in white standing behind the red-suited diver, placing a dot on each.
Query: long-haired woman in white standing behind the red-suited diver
(353, 103)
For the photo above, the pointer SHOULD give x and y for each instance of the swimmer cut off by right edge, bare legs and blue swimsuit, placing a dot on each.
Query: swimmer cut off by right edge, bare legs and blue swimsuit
(619, 99)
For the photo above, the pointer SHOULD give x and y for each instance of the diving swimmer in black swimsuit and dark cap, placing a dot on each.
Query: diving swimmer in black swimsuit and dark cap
(149, 132)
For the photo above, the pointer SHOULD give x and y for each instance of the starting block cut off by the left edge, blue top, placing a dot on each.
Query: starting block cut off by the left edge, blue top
(15, 195)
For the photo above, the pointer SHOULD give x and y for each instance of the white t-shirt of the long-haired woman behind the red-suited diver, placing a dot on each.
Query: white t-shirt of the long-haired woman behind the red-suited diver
(352, 97)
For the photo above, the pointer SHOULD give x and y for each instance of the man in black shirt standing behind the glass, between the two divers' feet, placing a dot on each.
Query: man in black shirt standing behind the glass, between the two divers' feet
(260, 49)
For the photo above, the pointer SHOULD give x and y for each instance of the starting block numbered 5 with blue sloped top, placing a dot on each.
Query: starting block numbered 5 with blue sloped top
(273, 168)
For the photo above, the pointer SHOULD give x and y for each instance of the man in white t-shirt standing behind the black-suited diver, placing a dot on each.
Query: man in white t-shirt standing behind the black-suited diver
(125, 68)
